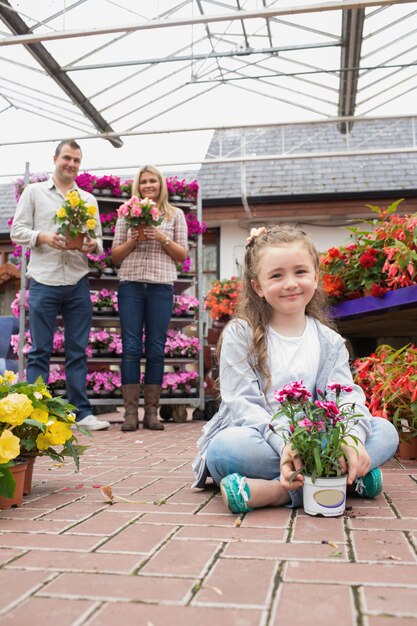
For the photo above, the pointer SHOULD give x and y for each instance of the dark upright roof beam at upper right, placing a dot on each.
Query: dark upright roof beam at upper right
(352, 30)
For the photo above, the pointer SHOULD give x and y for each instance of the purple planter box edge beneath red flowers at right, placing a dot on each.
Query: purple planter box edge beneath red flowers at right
(400, 298)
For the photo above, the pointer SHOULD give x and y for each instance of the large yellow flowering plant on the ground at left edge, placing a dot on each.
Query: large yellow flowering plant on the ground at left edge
(33, 422)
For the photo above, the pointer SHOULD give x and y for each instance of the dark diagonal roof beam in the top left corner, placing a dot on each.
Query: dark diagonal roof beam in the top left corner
(47, 61)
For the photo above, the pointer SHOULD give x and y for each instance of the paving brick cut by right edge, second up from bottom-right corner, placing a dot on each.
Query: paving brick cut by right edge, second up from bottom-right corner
(386, 600)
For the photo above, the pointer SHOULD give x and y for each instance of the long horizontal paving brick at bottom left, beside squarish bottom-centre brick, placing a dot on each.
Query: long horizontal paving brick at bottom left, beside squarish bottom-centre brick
(113, 587)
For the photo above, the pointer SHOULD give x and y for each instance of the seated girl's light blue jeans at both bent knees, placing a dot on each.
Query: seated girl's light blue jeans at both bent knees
(243, 450)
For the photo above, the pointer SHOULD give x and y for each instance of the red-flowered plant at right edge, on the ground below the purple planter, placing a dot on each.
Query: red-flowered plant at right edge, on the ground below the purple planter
(389, 380)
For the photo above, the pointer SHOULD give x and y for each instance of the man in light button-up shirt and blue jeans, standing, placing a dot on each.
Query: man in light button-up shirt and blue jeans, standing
(58, 279)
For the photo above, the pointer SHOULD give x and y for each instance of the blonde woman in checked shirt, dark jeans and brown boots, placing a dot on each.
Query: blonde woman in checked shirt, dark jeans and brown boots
(146, 295)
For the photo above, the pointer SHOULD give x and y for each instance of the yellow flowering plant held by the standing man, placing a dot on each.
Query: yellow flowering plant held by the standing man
(75, 216)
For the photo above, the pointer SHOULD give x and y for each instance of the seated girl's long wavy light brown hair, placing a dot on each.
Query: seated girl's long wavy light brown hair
(256, 310)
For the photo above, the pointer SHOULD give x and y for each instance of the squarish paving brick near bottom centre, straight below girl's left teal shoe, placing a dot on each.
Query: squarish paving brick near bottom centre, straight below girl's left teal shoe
(238, 582)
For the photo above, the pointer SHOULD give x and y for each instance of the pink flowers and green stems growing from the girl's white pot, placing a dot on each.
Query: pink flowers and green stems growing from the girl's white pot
(317, 429)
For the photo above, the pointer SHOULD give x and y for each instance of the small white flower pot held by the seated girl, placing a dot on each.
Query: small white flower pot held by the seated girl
(326, 496)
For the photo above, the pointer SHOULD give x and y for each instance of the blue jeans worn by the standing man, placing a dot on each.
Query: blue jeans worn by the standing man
(74, 304)
